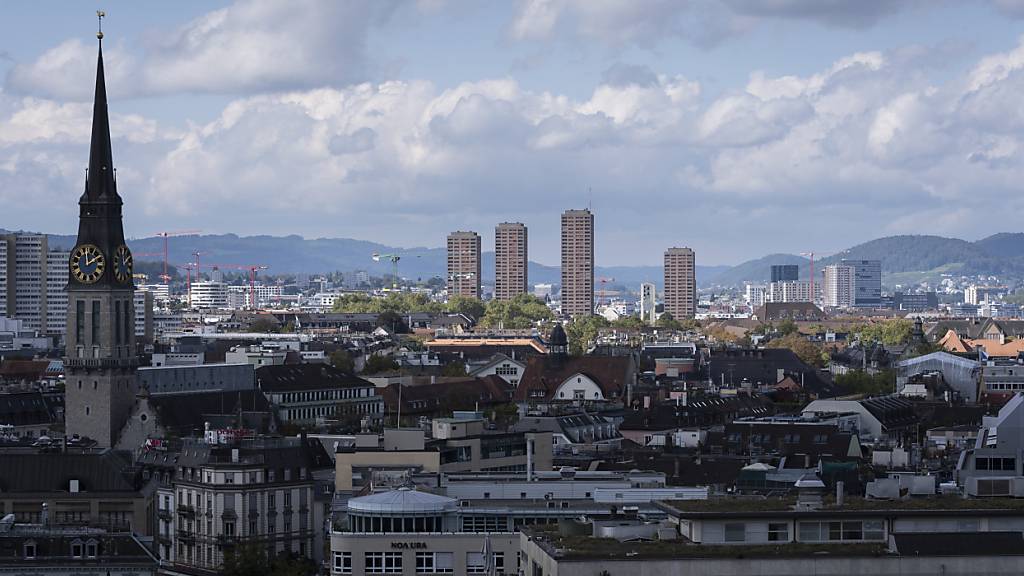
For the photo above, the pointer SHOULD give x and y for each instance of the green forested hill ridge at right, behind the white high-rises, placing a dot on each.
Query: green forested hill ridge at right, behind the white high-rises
(906, 260)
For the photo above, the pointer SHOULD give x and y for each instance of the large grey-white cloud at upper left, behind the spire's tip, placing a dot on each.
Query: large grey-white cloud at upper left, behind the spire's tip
(249, 47)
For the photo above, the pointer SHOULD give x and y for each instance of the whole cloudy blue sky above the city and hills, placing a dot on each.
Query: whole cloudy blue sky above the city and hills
(736, 128)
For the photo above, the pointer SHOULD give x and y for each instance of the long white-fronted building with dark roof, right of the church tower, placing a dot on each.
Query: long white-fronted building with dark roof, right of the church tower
(305, 393)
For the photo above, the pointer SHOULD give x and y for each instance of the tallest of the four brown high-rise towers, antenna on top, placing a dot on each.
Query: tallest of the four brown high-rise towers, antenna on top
(578, 264)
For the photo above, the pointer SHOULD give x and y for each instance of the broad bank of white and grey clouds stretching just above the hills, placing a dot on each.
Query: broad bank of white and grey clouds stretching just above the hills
(866, 146)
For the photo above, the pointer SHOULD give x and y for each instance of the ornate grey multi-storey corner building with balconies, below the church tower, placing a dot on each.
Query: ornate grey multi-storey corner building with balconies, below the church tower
(259, 492)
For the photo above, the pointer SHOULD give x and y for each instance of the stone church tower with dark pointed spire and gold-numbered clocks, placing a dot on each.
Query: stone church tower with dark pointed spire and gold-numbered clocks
(101, 359)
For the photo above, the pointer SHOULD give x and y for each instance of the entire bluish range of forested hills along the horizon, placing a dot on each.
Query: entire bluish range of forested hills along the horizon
(906, 260)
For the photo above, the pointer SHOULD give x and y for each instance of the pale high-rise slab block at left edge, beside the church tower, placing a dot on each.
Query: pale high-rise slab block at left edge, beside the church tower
(33, 277)
